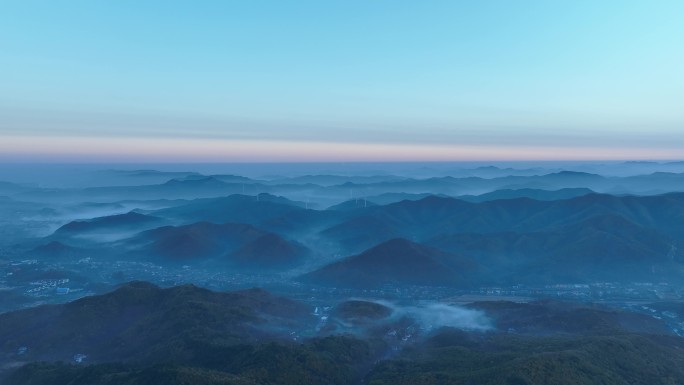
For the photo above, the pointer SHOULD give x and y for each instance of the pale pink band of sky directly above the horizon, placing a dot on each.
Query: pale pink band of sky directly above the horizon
(75, 149)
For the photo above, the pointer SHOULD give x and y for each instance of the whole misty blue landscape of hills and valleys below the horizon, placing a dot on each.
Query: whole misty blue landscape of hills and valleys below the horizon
(404, 273)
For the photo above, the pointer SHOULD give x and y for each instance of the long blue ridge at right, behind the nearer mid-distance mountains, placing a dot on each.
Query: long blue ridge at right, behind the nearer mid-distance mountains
(432, 216)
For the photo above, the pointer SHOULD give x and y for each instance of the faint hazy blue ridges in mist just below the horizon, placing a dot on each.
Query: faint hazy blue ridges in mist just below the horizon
(325, 190)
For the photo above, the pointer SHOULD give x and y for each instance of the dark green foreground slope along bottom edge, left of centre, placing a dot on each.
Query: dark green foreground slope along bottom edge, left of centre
(336, 360)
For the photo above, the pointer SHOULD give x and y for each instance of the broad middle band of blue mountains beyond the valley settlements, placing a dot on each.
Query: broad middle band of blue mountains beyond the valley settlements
(517, 239)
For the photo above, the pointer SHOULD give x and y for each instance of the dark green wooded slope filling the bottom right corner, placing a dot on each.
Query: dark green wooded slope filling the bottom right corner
(452, 357)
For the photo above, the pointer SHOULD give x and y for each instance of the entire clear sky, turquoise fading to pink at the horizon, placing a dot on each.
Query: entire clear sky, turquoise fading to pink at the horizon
(383, 80)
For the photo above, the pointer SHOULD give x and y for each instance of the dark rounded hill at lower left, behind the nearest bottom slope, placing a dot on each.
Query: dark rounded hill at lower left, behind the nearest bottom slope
(141, 322)
